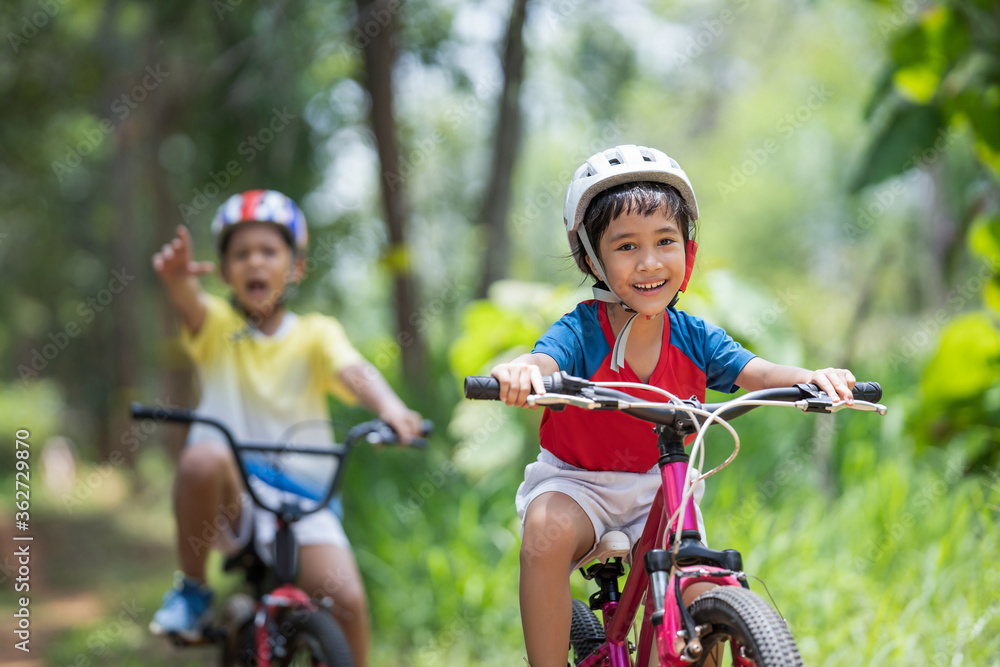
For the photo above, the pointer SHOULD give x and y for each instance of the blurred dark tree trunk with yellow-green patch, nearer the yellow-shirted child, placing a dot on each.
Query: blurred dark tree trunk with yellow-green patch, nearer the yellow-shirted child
(380, 57)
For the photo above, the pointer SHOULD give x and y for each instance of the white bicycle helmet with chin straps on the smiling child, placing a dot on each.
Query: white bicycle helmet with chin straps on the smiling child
(622, 164)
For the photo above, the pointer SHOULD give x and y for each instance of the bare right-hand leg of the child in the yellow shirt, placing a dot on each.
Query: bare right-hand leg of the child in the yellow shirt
(329, 570)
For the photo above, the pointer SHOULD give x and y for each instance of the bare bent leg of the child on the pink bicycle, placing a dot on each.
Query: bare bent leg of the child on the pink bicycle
(557, 532)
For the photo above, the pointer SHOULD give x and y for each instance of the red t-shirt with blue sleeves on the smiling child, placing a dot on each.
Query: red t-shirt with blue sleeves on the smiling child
(694, 355)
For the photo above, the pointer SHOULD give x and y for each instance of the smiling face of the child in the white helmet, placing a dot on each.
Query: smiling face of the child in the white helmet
(643, 259)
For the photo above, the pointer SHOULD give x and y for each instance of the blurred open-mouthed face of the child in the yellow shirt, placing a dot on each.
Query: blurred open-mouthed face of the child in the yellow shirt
(259, 264)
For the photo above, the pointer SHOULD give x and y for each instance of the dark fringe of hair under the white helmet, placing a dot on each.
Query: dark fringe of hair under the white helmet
(639, 198)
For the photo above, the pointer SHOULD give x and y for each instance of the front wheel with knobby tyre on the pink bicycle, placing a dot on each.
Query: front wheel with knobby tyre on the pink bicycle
(742, 621)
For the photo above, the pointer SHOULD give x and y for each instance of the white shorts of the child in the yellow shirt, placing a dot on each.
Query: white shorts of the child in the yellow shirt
(322, 527)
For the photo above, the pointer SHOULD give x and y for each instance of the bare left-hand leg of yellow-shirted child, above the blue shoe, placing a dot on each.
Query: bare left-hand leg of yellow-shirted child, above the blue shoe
(206, 491)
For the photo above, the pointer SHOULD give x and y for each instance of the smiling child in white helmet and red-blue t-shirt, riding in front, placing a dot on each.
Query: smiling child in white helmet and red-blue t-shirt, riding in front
(630, 217)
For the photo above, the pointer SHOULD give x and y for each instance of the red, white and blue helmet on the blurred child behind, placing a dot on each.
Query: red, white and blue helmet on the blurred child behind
(261, 206)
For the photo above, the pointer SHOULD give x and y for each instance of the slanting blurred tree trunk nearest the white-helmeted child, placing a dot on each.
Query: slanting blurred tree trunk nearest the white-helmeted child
(507, 140)
